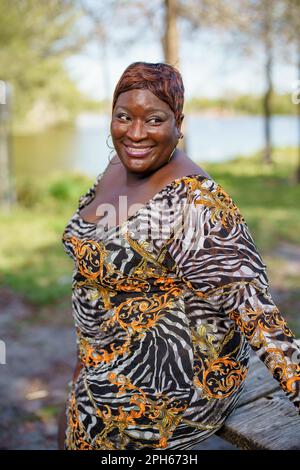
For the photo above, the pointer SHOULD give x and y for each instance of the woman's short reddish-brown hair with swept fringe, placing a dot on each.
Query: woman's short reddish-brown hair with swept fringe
(163, 80)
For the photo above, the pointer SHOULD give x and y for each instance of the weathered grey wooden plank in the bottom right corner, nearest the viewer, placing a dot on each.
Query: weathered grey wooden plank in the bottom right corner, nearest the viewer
(270, 423)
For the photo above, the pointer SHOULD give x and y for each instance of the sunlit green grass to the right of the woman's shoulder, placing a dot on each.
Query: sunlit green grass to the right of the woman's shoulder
(266, 196)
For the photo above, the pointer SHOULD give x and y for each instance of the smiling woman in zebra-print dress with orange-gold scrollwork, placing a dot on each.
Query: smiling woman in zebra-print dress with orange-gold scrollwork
(169, 291)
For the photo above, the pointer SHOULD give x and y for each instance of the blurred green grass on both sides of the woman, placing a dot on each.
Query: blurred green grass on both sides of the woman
(34, 264)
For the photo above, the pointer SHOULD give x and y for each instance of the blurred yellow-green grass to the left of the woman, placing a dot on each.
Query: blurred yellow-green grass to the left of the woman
(32, 260)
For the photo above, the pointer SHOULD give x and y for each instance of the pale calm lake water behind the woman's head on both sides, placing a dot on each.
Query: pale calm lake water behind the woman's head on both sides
(84, 149)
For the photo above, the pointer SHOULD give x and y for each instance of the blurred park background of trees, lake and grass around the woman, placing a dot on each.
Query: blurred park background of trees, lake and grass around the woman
(59, 64)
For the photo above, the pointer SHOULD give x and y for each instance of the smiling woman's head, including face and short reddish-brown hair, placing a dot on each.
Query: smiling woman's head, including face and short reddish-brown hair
(146, 122)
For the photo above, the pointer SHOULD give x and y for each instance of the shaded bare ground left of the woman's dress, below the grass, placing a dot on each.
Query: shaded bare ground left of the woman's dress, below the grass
(40, 352)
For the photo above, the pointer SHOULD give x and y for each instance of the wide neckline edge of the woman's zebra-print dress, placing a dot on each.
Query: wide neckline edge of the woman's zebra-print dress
(145, 206)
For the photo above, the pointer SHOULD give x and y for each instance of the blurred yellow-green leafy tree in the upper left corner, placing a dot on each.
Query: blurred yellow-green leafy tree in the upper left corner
(35, 39)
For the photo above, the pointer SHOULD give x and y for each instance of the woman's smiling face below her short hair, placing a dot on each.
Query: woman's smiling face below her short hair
(143, 130)
